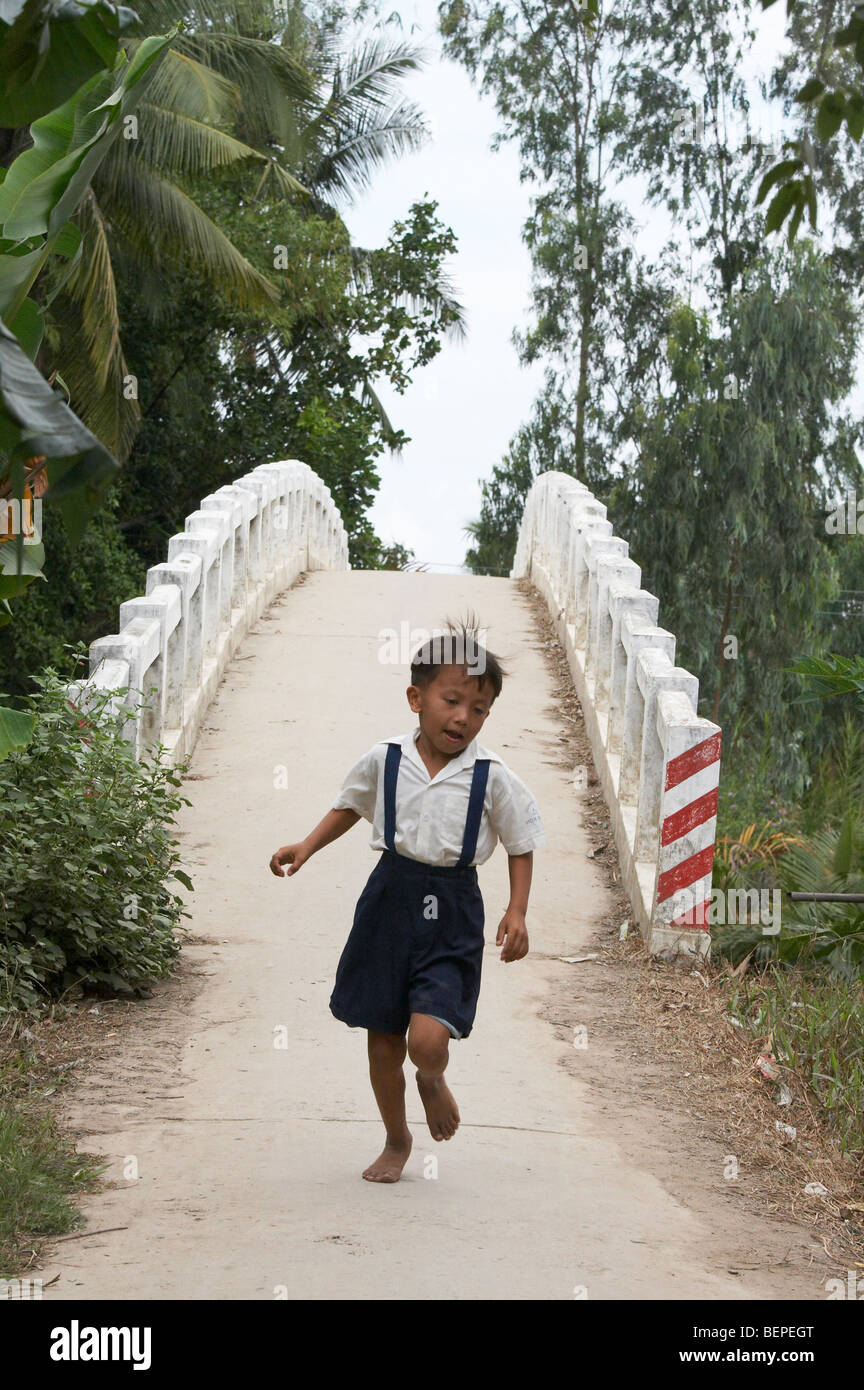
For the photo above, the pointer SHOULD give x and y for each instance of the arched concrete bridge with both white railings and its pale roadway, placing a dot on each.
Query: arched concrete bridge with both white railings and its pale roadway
(234, 1111)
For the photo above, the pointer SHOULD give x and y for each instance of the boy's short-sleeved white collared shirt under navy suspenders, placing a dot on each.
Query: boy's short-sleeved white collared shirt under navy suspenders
(431, 811)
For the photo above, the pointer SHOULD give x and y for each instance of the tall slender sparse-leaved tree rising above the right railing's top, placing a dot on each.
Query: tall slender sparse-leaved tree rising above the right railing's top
(556, 73)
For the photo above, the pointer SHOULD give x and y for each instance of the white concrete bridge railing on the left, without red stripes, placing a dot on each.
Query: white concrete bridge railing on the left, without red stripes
(244, 546)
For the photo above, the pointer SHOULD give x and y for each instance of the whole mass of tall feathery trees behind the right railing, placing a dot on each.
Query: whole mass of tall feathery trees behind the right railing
(715, 426)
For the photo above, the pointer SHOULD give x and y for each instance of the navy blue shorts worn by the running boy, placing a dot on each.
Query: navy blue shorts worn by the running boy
(416, 947)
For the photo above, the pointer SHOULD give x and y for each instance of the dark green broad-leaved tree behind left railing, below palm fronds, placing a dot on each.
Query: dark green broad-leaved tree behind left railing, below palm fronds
(222, 390)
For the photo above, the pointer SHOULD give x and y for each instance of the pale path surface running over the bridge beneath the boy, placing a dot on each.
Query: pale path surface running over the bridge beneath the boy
(235, 1164)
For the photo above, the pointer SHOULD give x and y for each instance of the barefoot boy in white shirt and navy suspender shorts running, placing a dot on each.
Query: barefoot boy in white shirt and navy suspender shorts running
(438, 803)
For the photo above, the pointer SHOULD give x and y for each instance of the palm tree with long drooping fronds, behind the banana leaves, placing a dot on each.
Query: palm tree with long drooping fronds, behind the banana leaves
(245, 83)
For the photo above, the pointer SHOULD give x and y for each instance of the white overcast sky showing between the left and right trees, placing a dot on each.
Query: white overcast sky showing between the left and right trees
(463, 409)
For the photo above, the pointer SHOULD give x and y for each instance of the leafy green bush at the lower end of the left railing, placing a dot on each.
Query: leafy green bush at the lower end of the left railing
(88, 856)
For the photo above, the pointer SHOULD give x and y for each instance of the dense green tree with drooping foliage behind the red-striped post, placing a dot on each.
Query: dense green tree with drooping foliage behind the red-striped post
(737, 461)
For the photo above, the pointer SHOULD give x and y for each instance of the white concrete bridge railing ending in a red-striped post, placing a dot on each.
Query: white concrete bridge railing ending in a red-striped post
(656, 758)
